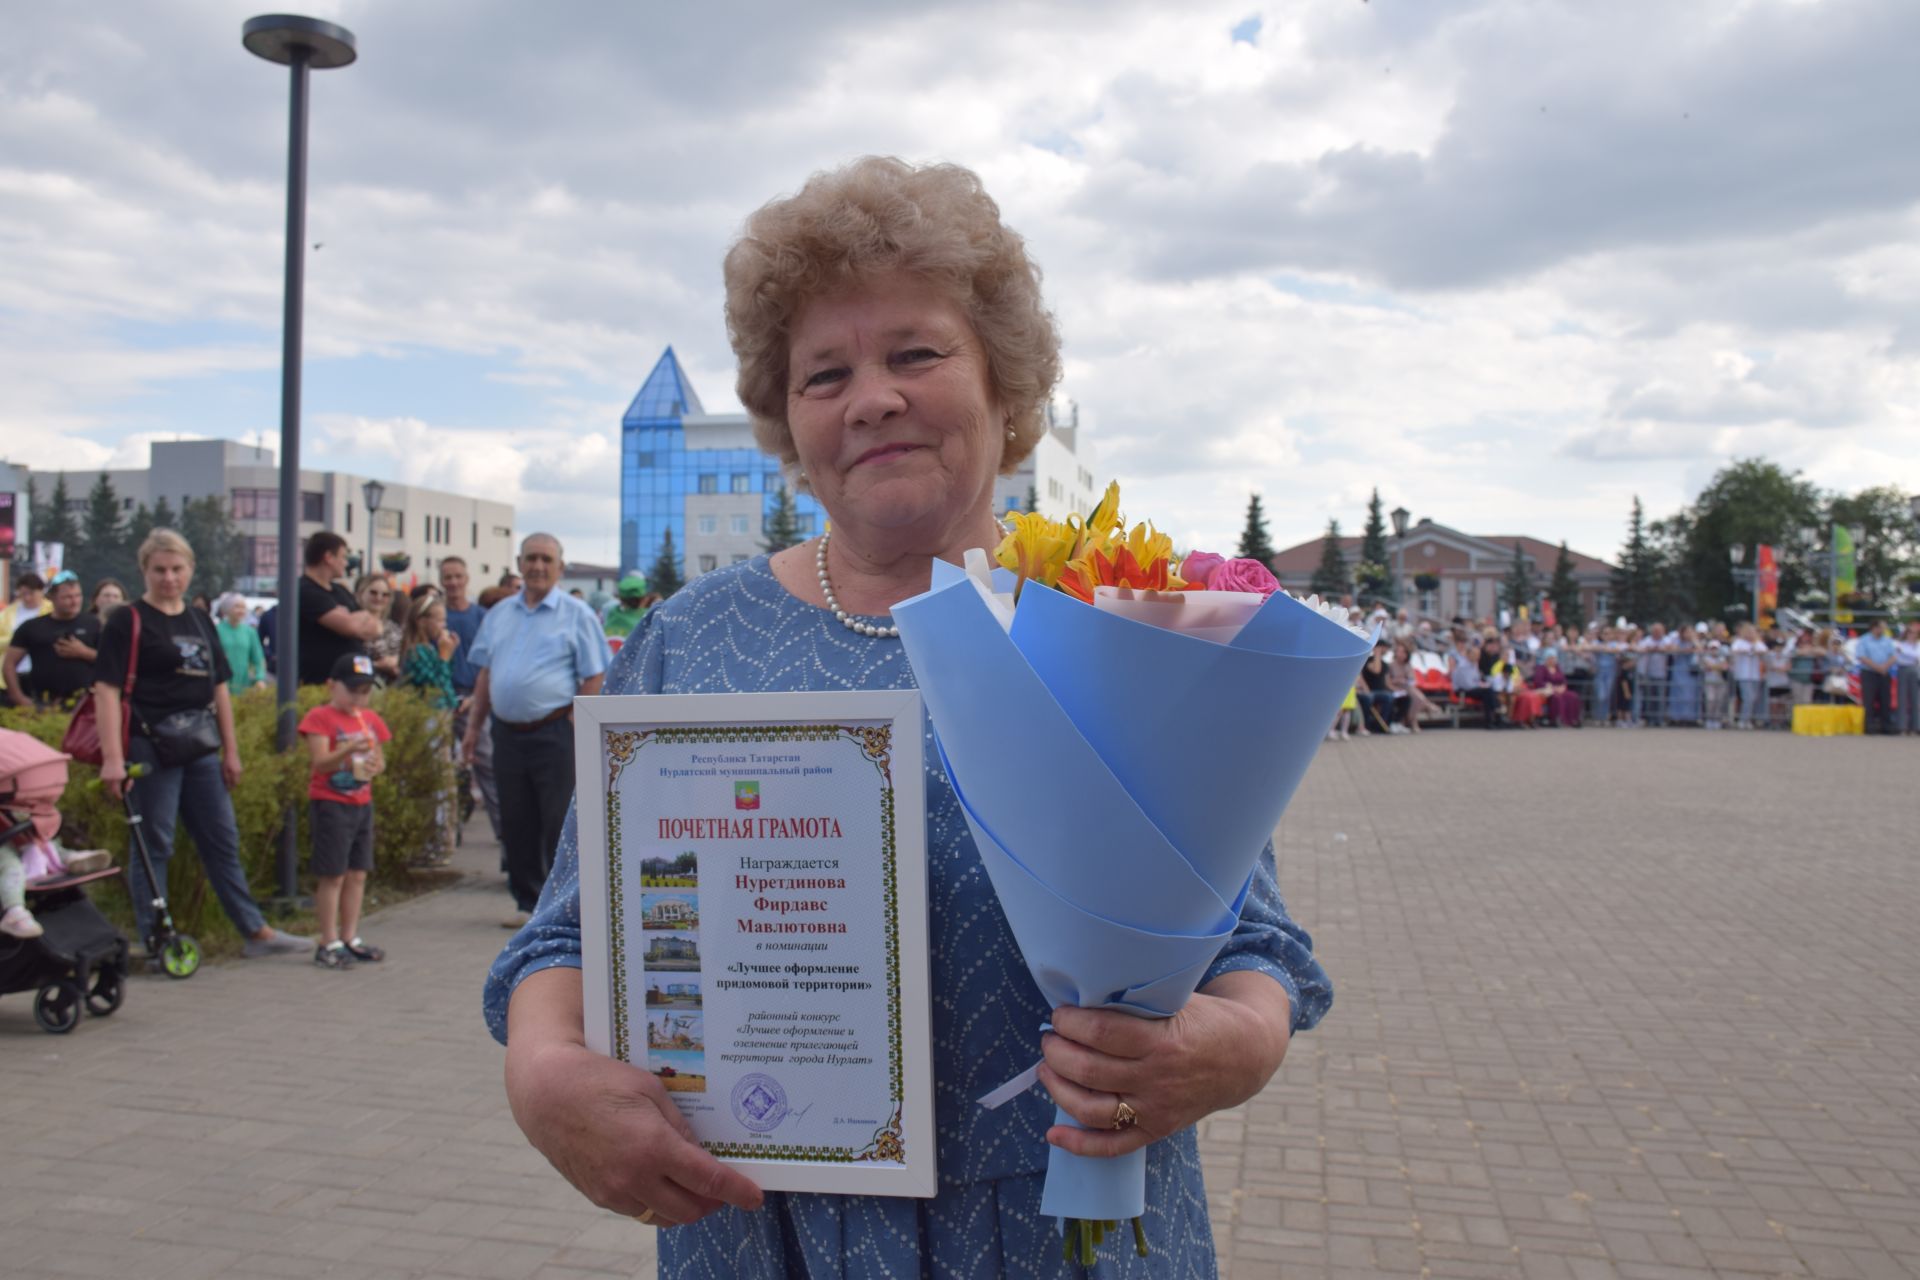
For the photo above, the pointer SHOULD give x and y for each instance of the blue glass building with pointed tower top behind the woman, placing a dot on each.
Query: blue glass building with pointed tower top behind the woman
(694, 475)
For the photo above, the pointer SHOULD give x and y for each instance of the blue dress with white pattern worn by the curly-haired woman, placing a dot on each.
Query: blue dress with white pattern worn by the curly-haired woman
(738, 630)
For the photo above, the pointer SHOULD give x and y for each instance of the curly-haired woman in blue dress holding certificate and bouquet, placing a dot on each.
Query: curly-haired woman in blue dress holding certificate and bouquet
(896, 356)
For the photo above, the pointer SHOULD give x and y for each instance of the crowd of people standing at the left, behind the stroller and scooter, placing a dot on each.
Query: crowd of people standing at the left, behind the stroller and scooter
(498, 673)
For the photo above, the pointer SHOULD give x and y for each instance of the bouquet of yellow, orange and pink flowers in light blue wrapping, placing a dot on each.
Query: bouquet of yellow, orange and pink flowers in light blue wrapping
(1178, 705)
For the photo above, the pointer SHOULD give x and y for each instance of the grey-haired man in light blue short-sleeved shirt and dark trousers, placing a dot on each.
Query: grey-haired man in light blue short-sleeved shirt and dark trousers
(533, 655)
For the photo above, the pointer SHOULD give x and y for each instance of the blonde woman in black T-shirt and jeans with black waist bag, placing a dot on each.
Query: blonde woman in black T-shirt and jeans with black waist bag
(180, 723)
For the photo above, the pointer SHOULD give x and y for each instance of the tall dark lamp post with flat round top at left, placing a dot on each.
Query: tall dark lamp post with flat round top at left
(300, 45)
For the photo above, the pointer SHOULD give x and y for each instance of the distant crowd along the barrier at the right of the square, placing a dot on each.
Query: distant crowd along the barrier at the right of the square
(1527, 676)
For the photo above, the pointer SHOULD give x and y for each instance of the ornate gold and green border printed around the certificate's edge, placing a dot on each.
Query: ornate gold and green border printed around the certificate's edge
(876, 746)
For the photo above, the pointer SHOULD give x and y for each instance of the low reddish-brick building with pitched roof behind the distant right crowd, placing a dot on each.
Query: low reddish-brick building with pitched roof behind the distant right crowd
(1468, 565)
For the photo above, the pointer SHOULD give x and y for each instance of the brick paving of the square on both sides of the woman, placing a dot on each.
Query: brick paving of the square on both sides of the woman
(1631, 1005)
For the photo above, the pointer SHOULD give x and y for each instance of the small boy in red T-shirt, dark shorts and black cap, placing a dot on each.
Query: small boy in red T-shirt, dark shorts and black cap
(345, 740)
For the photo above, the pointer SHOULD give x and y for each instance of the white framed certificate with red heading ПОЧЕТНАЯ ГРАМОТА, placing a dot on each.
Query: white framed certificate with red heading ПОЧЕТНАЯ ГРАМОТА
(754, 926)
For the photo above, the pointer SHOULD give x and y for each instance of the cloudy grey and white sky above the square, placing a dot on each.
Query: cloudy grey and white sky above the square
(1512, 262)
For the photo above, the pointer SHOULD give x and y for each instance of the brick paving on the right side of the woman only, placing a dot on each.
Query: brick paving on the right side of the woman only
(1637, 1005)
